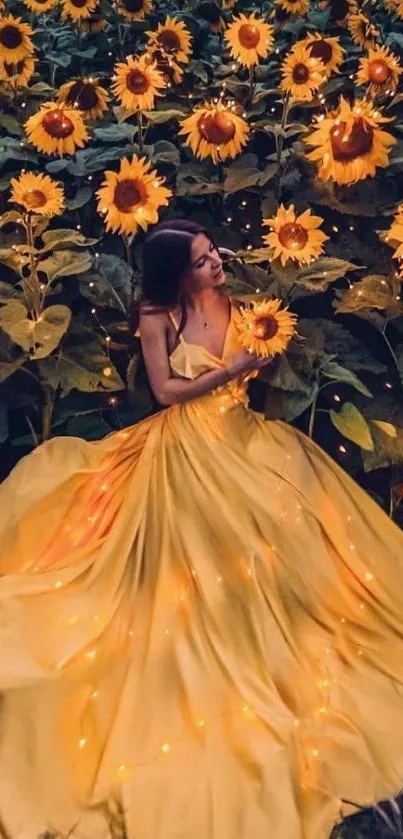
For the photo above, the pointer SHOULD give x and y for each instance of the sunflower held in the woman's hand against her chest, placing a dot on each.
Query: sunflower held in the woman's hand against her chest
(265, 328)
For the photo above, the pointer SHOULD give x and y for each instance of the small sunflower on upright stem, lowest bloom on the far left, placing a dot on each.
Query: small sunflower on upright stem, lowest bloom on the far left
(38, 194)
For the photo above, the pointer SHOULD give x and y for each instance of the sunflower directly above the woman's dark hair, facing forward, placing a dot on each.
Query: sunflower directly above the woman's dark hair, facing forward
(131, 198)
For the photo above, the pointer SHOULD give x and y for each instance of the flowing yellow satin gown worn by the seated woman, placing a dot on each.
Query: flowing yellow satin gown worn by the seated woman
(201, 631)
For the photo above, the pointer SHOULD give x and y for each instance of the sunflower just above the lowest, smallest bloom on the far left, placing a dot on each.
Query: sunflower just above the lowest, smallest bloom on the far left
(57, 129)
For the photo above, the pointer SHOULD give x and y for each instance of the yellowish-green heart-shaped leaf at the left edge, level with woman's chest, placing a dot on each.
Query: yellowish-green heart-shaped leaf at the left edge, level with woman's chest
(38, 337)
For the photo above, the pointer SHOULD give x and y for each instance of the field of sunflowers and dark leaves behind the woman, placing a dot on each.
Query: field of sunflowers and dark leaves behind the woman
(279, 126)
